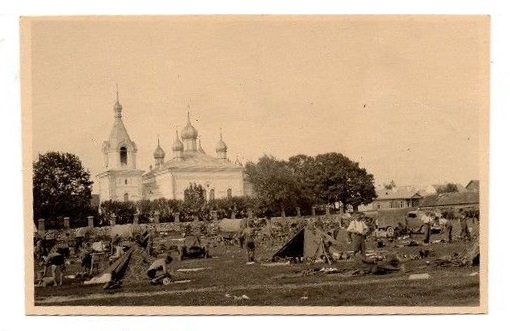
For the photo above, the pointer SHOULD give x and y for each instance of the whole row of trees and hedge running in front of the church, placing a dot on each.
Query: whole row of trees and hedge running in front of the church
(62, 187)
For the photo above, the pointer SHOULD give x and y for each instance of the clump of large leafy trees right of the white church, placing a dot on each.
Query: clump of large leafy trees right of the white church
(305, 181)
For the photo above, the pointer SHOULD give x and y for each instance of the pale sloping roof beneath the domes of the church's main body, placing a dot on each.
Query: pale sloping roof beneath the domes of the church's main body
(196, 161)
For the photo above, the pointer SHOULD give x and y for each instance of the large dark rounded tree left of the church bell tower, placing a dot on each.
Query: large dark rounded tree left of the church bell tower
(61, 186)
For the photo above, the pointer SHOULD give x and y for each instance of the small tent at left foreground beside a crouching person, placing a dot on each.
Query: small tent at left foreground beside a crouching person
(131, 267)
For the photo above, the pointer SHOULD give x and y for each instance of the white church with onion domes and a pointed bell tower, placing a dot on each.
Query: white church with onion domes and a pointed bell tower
(188, 164)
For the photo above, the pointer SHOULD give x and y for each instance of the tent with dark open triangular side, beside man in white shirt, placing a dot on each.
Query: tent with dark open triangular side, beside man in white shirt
(306, 244)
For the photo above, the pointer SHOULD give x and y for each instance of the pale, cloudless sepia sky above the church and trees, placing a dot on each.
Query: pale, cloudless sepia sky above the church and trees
(403, 96)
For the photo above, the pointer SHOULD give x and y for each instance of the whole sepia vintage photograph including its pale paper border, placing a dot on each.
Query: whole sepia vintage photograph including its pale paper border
(255, 164)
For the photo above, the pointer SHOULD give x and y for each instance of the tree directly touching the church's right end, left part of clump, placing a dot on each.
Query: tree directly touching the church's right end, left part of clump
(275, 184)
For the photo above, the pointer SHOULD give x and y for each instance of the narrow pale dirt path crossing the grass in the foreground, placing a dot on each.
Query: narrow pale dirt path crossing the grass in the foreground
(100, 296)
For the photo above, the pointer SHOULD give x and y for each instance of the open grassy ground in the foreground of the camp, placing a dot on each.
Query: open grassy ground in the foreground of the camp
(227, 278)
